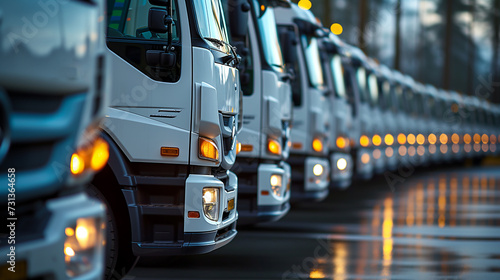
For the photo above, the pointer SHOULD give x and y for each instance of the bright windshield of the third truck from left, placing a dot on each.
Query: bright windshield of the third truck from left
(269, 35)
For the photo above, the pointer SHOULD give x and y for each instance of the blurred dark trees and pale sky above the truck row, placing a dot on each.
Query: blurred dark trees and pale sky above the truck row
(452, 44)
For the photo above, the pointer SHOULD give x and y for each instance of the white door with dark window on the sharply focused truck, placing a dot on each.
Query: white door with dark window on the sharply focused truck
(149, 89)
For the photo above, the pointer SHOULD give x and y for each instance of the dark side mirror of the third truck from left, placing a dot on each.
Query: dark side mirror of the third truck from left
(238, 17)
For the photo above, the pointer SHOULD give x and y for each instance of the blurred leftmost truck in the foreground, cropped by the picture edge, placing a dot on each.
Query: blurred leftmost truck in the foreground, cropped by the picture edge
(52, 97)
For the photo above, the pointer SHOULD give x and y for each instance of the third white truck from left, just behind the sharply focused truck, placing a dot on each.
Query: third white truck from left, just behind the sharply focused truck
(263, 175)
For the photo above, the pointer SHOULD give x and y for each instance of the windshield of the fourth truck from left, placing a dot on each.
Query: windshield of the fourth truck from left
(311, 54)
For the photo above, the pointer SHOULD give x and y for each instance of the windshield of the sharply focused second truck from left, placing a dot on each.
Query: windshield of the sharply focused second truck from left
(212, 25)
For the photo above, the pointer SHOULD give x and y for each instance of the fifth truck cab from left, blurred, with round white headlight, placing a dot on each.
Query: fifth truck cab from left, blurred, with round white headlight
(342, 165)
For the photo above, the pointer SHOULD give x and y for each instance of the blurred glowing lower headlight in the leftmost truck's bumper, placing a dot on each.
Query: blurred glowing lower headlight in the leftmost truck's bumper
(81, 244)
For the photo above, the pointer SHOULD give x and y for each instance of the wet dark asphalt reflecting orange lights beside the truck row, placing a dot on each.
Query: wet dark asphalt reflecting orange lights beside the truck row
(437, 224)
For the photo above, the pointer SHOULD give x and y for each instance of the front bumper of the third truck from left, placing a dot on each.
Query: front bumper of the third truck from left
(258, 202)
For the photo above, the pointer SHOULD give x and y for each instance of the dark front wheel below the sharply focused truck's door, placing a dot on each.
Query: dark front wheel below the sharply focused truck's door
(119, 258)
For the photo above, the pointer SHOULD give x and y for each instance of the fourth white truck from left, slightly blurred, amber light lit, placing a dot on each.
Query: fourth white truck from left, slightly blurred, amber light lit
(311, 108)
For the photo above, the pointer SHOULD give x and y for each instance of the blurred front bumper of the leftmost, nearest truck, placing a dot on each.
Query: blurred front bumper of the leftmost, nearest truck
(40, 240)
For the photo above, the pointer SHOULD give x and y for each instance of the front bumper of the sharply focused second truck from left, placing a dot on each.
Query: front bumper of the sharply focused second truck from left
(160, 233)
